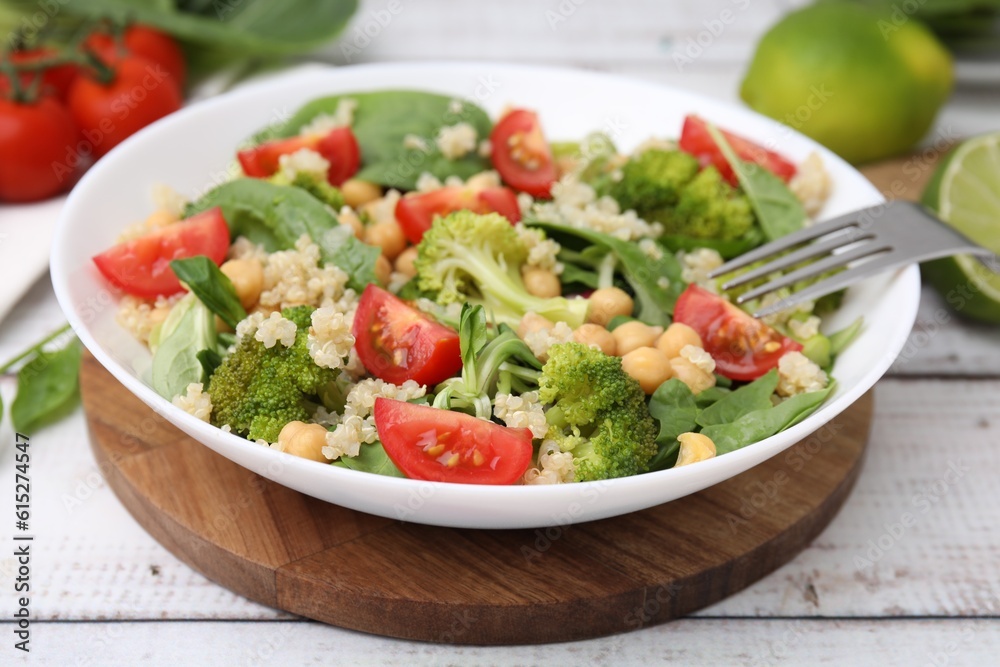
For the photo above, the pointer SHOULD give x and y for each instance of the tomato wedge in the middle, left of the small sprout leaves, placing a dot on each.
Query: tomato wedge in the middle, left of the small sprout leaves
(396, 342)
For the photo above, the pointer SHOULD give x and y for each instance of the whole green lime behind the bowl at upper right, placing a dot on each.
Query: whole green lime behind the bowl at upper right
(865, 83)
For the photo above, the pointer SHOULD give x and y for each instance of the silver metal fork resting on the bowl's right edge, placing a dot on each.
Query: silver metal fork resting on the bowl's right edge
(867, 242)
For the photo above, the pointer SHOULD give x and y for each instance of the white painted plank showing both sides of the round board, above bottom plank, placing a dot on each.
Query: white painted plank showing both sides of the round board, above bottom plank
(94, 562)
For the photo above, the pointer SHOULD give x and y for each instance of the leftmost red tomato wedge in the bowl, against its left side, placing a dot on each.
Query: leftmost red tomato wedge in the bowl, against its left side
(142, 266)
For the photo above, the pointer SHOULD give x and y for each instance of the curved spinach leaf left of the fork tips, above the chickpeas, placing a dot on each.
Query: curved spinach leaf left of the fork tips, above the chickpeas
(656, 282)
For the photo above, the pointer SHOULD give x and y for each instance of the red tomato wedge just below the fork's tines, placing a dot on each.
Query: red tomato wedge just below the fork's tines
(744, 348)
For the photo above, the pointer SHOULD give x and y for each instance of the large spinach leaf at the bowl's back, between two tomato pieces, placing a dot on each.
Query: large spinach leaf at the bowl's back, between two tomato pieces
(381, 122)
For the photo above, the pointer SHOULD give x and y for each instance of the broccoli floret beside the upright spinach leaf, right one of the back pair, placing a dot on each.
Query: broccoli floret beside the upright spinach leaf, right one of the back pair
(709, 208)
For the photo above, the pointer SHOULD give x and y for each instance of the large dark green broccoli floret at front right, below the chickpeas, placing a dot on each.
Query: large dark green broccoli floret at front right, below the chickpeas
(597, 412)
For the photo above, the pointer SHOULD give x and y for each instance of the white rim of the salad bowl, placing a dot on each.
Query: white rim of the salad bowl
(758, 451)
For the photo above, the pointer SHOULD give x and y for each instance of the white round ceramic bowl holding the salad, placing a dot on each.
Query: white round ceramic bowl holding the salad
(193, 148)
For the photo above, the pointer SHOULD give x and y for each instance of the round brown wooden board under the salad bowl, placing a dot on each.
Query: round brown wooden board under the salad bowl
(363, 572)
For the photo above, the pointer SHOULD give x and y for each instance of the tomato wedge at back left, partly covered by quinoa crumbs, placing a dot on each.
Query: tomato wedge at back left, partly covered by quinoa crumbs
(338, 146)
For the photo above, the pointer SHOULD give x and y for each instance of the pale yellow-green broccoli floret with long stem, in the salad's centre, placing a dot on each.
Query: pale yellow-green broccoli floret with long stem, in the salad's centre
(471, 258)
